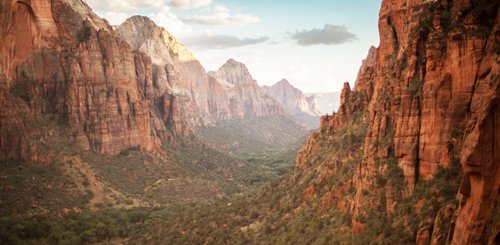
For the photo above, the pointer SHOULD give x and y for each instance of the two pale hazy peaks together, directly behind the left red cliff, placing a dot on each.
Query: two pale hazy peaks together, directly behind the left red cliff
(231, 93)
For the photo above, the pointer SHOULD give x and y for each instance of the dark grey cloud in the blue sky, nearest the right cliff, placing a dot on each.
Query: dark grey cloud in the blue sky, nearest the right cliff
(329, 35)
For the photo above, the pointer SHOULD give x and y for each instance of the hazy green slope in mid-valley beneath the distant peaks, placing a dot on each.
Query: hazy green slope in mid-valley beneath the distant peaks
(269, 144)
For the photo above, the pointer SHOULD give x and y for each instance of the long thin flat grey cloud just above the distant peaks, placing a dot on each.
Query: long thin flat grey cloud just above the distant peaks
(221, 41)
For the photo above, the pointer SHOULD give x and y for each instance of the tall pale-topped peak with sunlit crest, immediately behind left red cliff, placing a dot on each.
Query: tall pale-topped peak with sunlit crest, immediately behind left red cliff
(174, 67)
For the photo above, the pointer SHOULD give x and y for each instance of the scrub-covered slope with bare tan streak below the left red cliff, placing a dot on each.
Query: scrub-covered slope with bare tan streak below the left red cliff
(63, 177)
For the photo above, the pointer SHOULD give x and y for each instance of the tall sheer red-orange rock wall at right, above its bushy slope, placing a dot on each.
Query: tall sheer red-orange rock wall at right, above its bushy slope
(444, 79)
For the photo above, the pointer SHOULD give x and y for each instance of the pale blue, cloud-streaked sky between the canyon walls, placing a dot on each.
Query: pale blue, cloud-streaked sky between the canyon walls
(316, 45)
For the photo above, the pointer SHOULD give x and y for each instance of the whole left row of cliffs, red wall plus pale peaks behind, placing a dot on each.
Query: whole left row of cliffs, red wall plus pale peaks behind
(113, 88)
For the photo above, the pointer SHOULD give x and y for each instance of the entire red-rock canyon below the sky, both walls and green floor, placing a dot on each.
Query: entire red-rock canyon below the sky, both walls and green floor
(118, 135)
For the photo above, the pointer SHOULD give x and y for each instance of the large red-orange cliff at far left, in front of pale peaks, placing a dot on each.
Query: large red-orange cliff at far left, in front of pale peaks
(57, 57)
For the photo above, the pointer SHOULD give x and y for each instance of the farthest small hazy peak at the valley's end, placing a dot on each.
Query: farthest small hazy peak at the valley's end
(292, 99)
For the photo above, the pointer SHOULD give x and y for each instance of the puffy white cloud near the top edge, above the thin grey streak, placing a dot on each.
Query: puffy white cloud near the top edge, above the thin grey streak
(222, 16)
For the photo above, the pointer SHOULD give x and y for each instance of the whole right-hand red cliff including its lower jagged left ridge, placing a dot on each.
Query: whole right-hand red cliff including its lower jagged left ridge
(429, 96)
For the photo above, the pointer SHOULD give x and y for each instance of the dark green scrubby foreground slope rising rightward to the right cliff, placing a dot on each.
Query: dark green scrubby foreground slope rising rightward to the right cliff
(312, 205)
